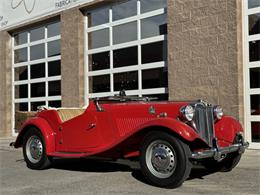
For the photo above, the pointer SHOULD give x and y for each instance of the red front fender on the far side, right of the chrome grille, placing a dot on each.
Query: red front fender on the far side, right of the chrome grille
(227, 128)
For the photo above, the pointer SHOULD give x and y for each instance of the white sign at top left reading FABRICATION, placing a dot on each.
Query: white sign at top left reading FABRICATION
(16, 12)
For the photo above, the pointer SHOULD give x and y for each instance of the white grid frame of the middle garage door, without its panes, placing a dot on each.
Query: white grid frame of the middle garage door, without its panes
(111, 47)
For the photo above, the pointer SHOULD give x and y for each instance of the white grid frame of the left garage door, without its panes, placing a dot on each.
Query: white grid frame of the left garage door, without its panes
(46, 79)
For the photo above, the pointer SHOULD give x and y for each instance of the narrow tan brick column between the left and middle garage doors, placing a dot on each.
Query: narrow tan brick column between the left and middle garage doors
(72, 58)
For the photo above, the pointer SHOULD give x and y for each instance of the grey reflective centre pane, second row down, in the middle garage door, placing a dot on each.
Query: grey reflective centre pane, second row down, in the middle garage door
(125, 32)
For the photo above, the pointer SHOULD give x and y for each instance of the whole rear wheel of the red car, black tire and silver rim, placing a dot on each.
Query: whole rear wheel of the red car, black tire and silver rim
(34, 150)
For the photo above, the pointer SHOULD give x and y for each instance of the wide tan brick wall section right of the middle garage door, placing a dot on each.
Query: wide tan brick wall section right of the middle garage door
(204, 52)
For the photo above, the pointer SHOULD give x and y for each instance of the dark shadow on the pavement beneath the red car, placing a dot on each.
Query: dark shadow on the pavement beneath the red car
(93, 165)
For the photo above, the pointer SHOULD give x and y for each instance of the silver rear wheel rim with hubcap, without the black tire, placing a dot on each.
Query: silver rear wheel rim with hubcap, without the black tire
(34, 149)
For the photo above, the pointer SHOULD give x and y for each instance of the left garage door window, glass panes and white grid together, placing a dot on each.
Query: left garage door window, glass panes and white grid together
(36, 68)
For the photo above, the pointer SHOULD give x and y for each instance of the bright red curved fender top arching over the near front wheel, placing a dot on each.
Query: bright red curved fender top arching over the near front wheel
(178, 127)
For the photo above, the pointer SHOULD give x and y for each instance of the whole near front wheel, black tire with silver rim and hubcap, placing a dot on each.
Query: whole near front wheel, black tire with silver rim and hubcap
(164, 160)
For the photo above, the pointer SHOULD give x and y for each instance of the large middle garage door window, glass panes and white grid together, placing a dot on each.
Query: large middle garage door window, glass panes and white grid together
(127, 49)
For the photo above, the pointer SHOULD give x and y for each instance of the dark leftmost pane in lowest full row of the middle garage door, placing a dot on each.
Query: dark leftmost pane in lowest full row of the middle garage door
(99, 84)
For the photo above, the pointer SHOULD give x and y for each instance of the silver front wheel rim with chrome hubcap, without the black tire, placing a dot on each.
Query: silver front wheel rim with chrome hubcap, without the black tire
(160, 159)
